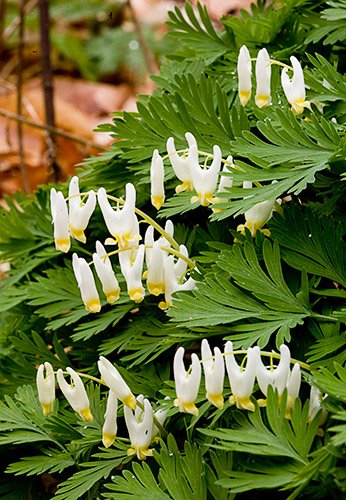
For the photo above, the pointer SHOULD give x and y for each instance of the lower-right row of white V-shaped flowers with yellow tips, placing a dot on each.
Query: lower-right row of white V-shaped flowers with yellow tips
(242, 380)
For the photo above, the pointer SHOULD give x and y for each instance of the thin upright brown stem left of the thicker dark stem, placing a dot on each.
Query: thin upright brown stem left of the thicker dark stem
(26, 184)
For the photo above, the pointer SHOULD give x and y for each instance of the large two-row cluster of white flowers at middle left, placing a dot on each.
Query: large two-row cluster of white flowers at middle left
(166, 267)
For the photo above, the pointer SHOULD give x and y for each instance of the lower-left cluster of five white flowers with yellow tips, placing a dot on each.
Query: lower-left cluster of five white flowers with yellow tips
(142, 424)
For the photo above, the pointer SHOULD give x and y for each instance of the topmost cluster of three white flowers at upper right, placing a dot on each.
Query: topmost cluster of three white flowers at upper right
(294, 88)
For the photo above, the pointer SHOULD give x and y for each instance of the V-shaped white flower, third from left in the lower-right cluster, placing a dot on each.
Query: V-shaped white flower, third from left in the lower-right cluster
(241, 381)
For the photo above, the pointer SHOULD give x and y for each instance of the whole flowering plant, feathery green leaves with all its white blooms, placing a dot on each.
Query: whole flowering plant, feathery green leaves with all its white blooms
(236, 247)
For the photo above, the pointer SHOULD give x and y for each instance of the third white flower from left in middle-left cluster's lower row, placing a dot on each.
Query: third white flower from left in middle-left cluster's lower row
(132, 270)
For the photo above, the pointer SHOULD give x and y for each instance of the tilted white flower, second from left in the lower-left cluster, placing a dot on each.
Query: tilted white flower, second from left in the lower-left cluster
(75, 394)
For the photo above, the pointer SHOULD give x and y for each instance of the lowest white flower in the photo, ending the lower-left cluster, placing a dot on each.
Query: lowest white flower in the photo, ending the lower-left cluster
(140, 427)
